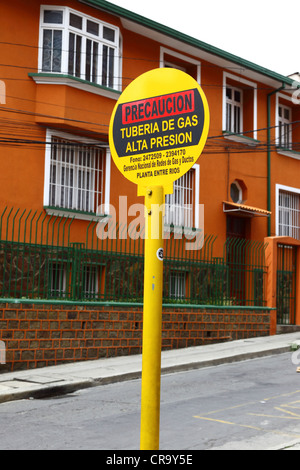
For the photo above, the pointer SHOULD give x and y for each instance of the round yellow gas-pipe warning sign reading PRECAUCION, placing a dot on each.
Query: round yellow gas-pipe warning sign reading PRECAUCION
(158, 128)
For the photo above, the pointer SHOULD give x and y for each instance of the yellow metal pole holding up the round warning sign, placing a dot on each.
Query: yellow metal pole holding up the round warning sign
(152, 319)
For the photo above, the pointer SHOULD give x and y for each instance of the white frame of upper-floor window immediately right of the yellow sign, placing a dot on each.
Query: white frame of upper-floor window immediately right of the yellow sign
(239, 82)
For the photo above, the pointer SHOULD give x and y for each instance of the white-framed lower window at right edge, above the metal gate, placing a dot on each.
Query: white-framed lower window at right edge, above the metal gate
(288, 213)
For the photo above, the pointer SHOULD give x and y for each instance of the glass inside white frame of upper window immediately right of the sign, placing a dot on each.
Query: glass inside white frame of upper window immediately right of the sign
(234, 110)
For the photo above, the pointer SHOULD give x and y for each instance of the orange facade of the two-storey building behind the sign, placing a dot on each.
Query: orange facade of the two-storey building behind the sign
(63, 67)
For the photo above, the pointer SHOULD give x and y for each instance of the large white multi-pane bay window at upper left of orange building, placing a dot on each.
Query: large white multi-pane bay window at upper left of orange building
(78, 45)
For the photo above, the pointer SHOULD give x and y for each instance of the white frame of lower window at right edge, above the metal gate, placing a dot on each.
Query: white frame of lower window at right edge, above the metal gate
(293, 213)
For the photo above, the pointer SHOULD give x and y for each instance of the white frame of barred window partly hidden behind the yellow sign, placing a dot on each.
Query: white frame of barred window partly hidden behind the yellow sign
(183, 217)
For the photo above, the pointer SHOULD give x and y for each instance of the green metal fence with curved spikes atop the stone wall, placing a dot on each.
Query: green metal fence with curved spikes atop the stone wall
(39, 259)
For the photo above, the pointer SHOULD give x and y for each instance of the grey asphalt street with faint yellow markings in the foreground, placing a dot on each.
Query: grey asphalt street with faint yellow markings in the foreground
(253, 404)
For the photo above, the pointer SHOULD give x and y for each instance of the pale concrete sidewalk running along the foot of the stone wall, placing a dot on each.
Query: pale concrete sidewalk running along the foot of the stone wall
(67, 378)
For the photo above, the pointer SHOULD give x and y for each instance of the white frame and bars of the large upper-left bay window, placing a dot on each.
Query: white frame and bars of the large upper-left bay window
(66, 29)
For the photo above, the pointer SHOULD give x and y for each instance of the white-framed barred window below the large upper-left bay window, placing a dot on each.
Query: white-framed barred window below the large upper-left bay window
(74, 175)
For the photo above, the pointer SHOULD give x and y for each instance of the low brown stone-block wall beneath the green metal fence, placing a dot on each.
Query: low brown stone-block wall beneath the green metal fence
(39, 335)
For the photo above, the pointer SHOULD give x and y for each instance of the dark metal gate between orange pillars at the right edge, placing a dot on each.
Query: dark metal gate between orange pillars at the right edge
(286, 285)
